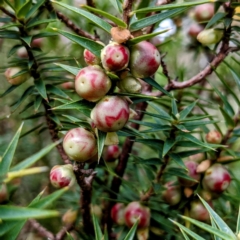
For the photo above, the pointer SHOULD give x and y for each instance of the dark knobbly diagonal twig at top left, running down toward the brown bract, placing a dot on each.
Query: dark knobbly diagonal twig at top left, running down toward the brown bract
(69, 23)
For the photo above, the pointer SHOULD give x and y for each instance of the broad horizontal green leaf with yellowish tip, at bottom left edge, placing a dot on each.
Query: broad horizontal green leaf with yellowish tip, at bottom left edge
(14, 213)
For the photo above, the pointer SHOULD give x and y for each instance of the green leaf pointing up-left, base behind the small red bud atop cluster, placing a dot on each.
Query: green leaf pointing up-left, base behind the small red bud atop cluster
(91, 45)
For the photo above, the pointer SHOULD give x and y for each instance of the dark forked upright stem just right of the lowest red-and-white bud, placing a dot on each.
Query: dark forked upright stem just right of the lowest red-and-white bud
(85, 183)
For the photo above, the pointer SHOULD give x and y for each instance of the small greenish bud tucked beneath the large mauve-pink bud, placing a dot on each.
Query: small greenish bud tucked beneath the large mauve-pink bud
(129, 84)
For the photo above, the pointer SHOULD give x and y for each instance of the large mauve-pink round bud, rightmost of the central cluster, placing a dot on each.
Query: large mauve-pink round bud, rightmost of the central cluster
(144, 59)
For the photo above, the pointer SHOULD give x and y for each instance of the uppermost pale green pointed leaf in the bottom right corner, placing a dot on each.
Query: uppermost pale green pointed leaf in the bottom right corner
(218, 220)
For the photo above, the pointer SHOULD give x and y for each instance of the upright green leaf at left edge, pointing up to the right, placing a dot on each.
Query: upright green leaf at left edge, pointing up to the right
(7, 158)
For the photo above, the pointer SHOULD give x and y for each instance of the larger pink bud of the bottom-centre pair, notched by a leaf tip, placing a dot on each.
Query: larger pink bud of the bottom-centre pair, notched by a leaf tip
(135, 211)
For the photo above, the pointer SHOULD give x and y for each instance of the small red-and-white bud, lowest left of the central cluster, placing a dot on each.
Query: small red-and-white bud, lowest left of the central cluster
(62, 176)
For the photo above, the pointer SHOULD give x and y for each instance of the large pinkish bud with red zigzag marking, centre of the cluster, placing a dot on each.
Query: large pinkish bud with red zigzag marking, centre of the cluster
(110, 114)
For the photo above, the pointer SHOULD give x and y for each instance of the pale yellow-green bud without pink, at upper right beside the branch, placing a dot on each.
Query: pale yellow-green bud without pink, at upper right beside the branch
(210, 36)
